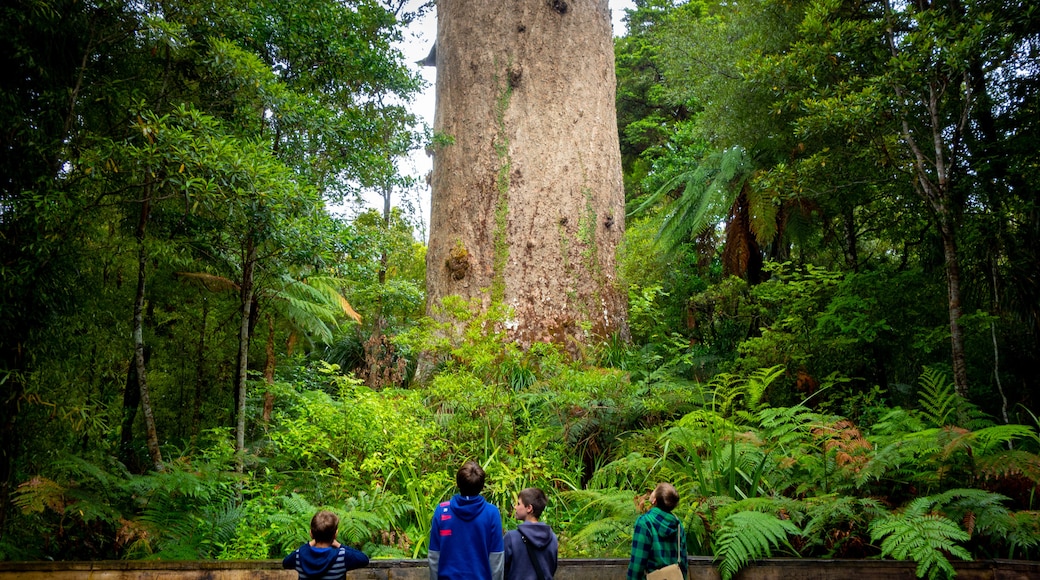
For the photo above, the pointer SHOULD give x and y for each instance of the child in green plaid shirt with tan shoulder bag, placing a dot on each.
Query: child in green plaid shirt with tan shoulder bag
(659, 539)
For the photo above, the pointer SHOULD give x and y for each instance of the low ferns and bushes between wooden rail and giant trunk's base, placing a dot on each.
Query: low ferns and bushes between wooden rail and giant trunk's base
(934, 482)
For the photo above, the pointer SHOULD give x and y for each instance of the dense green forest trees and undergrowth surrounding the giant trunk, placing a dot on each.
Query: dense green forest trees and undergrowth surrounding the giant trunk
(835, 326)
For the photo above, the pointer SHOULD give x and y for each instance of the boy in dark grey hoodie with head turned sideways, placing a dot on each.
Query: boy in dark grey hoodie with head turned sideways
(531, 550)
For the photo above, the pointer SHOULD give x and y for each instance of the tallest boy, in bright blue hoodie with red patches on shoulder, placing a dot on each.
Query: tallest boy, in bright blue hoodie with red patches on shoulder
(466, 534)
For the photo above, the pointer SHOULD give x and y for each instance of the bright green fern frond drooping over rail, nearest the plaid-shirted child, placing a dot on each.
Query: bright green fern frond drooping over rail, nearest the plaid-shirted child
(748, 536)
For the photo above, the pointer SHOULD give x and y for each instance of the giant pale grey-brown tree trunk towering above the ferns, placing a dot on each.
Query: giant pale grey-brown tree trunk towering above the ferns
(528, 195)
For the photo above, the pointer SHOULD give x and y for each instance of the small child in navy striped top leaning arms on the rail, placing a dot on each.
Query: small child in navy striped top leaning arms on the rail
(324, 559)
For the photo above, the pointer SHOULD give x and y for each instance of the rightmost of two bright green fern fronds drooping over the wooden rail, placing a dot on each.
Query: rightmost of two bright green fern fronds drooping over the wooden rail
(920, 536)
